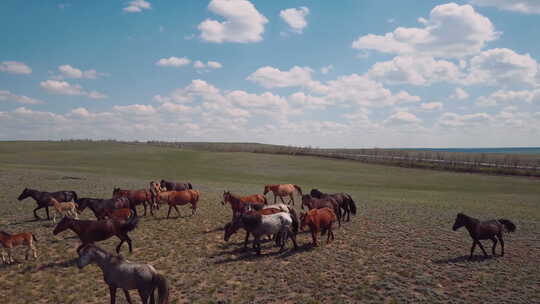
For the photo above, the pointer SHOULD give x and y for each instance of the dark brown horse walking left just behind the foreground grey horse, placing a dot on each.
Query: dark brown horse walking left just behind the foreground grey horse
(93, 231)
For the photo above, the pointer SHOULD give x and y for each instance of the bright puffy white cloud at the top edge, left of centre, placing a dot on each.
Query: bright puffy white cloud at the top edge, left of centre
(243, 23)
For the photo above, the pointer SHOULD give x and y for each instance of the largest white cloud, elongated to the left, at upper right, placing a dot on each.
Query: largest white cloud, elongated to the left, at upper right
(451, 31)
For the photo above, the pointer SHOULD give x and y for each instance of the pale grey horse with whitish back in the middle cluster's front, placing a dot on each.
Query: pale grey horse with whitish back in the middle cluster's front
(259, 225)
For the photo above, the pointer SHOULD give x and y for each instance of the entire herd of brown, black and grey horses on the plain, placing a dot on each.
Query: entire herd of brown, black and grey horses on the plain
(279, 222)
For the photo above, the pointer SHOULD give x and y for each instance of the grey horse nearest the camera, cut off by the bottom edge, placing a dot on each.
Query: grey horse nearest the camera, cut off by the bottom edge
(121, 273)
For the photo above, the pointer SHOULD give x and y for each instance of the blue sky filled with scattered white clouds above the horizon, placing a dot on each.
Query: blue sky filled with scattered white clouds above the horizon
(353, 73)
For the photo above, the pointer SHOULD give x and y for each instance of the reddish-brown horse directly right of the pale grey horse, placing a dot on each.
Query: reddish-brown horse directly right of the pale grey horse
(319, 220)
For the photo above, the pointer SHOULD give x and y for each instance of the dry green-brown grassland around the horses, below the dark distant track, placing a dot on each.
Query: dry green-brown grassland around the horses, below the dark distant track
(398, 249)
